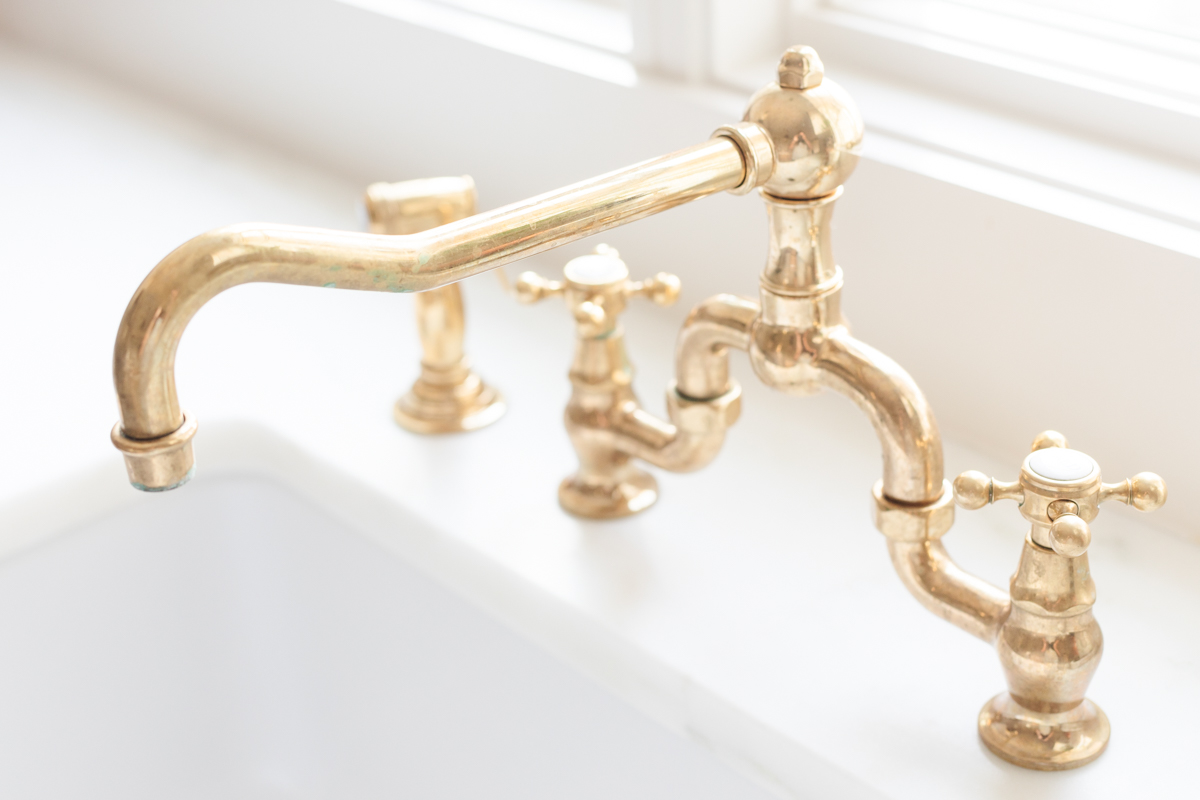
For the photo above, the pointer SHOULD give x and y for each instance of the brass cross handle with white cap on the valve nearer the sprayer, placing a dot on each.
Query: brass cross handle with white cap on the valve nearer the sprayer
(597, 288)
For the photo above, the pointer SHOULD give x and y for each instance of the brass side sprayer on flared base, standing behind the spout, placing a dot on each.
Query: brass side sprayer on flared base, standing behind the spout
(449, 396)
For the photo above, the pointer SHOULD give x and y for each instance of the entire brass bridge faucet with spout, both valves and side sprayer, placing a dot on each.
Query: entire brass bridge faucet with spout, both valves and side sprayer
(797, 145)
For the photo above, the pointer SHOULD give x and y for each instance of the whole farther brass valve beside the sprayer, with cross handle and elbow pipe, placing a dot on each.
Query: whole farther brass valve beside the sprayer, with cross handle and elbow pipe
(607, 424)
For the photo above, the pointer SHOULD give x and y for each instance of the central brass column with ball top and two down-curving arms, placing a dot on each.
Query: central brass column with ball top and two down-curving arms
(795, 335)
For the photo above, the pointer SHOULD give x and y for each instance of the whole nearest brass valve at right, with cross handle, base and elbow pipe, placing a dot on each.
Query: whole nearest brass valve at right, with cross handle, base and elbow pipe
(1048, 640)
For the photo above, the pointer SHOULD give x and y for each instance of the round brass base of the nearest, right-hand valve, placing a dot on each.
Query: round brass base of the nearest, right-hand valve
(1043, 742)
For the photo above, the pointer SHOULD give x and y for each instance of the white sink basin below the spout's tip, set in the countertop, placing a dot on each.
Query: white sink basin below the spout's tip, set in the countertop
(233, 641)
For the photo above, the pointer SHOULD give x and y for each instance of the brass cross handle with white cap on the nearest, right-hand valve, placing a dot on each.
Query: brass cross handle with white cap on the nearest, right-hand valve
(1060, 492)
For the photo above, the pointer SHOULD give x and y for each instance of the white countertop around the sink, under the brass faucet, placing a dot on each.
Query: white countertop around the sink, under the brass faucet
(753, 609)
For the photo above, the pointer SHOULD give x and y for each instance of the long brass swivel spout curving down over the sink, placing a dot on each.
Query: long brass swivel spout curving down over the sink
(158, 315)
